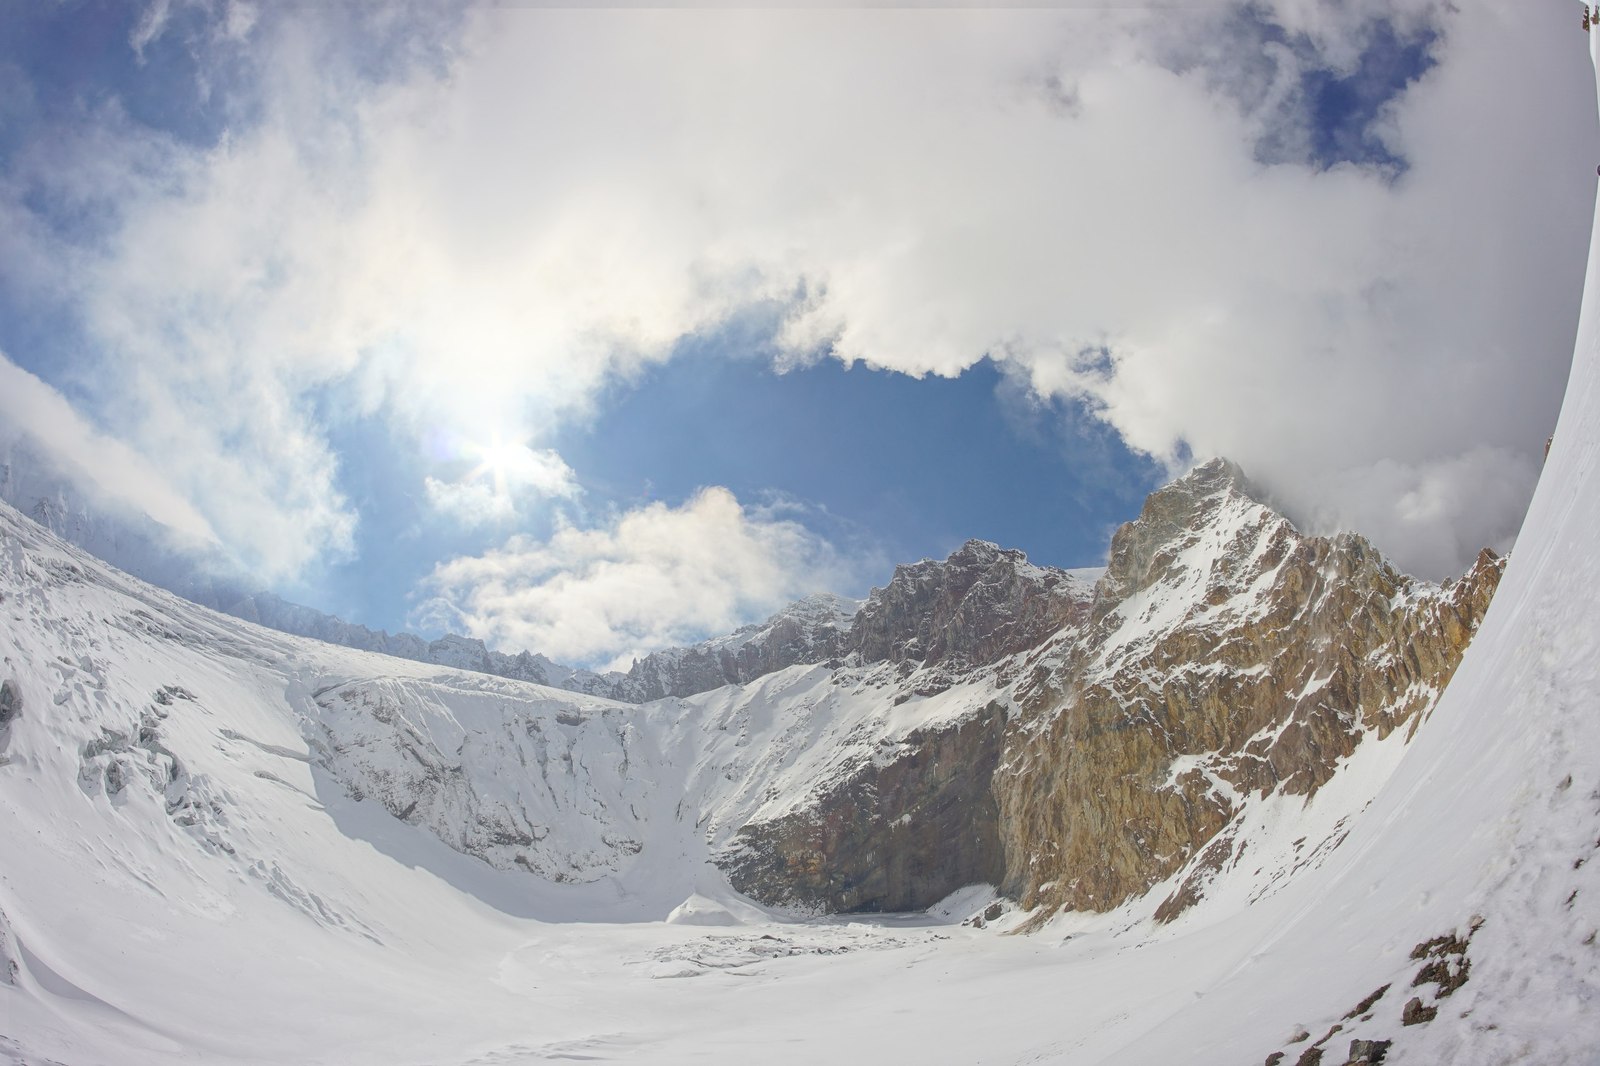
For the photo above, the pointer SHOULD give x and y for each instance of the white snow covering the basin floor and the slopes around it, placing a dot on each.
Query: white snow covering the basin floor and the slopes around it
(214, 851)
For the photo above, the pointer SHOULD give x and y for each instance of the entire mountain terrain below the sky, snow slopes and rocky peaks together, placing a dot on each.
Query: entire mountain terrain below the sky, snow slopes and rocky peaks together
(1225, 787)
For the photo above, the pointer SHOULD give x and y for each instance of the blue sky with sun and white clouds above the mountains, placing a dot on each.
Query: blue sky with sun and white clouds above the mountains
(596, 332)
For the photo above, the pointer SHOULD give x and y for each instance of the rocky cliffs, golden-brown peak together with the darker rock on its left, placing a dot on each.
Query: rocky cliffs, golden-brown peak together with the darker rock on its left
(1223, 655)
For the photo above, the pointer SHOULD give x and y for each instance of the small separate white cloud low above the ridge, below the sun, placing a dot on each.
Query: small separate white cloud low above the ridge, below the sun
(646, 579)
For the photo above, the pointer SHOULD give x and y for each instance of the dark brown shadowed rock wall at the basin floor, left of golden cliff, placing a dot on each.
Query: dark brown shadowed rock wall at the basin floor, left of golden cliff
(897, 836)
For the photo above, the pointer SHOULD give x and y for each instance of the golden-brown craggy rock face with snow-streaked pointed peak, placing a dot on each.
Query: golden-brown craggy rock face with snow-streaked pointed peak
(1226, 655)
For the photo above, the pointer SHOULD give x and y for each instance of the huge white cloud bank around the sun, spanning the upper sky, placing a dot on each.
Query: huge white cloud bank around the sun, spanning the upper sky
(532, 204)
